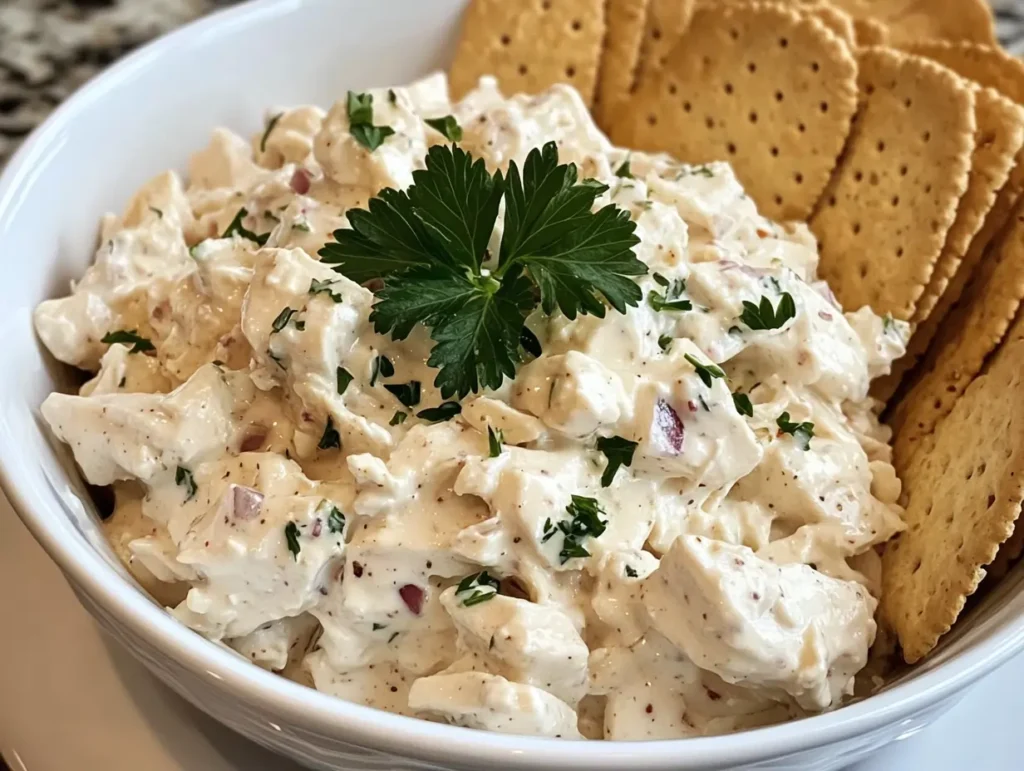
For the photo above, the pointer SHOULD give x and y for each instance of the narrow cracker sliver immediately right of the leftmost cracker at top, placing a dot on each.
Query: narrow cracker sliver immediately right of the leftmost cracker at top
(626, 23)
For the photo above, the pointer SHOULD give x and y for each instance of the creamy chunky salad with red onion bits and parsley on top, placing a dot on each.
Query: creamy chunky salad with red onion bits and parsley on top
(653, 517)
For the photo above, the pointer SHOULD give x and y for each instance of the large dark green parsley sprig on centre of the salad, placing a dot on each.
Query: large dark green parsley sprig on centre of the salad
(429, 244)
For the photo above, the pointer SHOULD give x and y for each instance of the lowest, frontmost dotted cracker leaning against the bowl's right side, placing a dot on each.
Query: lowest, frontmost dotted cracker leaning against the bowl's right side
(963, 498)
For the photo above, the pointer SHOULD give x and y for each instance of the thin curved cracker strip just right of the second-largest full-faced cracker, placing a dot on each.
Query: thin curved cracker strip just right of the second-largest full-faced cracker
(1000, 137)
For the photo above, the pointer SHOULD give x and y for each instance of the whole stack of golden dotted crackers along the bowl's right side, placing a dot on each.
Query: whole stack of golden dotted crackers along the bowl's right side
(895, 128)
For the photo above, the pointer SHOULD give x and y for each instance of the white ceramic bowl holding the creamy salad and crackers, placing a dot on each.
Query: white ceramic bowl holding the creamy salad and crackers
(146, 115)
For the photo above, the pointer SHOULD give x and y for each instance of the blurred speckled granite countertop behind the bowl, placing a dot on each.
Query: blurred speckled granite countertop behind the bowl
(50, 48)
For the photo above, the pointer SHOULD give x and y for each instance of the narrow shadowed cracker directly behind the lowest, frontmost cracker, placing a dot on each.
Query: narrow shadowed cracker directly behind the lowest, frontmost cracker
(964, 340)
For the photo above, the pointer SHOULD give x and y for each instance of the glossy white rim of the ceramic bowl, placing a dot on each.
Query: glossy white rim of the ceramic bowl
(368, 727)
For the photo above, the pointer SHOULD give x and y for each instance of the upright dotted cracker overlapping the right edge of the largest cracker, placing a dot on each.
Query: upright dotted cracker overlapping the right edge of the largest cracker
(883, 221)
